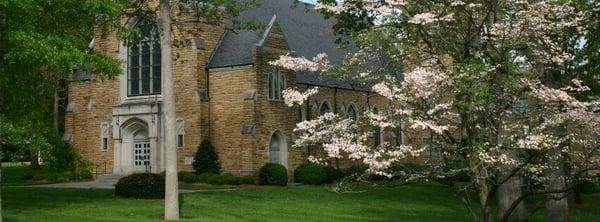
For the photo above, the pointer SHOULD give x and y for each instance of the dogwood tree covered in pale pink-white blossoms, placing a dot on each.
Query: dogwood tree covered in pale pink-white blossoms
(477, 75)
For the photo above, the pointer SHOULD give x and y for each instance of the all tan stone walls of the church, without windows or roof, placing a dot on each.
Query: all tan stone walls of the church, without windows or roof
(221, 119)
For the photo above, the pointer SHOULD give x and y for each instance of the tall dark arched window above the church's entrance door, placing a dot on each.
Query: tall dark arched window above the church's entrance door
(144, 77)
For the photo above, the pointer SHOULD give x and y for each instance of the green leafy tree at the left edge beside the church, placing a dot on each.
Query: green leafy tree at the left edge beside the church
(40, 44)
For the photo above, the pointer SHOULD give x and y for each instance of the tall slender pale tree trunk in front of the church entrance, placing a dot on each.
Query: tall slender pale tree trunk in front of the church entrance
(171, 184)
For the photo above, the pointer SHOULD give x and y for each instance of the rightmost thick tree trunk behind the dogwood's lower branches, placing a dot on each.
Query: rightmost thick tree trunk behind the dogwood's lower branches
(557, 204)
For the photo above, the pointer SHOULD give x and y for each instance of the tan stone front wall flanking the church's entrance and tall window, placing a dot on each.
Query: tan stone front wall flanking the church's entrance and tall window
(190, 76)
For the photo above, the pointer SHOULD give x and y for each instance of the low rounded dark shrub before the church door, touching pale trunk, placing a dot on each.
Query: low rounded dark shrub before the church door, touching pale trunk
(141, 186)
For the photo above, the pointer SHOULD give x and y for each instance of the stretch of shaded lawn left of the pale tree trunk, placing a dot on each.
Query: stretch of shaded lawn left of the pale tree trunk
(58, 204)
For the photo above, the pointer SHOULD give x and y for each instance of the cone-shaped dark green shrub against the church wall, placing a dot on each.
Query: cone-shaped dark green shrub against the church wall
(206, 159)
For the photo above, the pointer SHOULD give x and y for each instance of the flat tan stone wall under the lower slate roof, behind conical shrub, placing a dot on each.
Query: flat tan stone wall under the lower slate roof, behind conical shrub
(228, 114)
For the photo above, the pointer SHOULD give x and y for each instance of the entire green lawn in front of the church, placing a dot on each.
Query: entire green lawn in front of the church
(307, 203)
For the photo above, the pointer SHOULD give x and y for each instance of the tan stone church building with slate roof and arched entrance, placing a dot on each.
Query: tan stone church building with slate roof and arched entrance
(225, 92)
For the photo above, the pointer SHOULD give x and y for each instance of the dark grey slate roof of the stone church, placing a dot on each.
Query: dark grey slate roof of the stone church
(307, 31)
